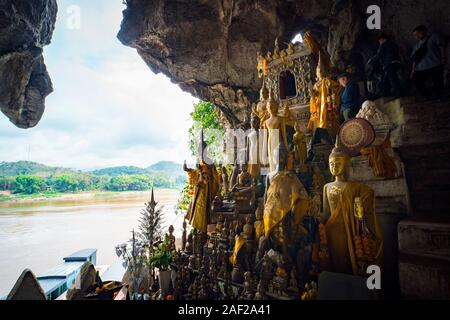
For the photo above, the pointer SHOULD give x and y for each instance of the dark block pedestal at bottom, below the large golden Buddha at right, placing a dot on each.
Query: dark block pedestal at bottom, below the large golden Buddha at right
(338, 286)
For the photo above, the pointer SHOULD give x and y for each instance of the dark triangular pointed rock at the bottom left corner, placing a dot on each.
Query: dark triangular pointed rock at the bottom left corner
(26, 288)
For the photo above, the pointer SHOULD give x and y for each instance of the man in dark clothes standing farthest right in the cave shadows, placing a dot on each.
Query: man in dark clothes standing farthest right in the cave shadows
(429, 59)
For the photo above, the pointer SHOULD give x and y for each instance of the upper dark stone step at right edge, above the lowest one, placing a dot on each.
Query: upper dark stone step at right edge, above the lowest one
(428, 237)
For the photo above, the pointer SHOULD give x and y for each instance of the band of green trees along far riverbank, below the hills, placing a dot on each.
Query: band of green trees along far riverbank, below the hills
(76, 182)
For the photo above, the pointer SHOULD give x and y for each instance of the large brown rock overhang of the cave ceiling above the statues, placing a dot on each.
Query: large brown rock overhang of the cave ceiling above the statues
(209, 47)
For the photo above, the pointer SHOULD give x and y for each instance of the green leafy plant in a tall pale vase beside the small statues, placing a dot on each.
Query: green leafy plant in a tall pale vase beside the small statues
(161, 258)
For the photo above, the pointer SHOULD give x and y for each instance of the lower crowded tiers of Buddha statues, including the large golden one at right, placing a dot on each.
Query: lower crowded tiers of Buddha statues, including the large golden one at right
(277, 244)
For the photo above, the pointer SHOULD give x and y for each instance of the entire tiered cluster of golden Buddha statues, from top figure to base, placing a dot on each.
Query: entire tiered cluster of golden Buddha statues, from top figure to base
(266, 227)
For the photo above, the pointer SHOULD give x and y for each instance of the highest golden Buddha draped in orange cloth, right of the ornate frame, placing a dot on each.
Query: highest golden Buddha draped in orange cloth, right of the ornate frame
(324, 106)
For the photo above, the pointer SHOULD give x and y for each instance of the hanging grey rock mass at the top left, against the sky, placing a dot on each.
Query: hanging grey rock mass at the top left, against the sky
(25, 28)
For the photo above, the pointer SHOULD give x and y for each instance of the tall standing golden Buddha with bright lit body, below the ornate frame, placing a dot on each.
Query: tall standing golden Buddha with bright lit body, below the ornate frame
(275, 129)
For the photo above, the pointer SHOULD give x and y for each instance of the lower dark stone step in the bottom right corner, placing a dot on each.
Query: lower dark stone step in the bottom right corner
(424, 277)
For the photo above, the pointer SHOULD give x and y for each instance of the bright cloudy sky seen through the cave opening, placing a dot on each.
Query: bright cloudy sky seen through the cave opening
(107, 108)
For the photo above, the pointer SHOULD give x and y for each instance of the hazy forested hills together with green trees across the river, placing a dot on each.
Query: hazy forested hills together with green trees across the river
(30, 178)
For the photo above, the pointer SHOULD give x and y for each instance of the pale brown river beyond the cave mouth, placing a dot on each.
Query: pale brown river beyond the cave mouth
(38, 235)
